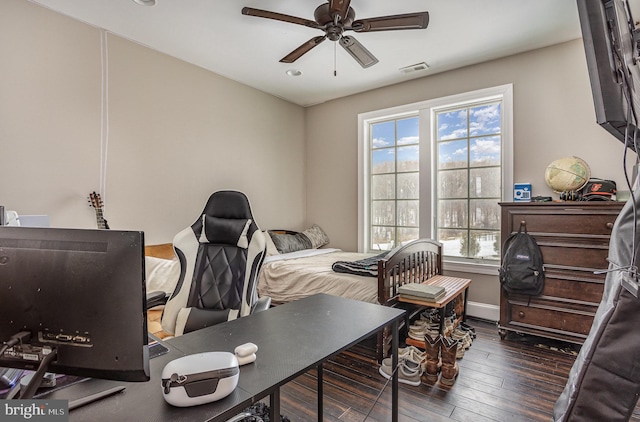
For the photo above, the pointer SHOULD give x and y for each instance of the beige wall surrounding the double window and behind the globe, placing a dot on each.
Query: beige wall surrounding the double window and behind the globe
(553, 118)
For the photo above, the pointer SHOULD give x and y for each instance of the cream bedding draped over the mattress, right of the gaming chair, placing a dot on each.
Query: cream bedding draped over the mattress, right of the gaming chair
(296, 275)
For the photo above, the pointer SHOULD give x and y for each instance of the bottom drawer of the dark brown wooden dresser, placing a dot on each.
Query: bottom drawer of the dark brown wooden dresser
(554, 320)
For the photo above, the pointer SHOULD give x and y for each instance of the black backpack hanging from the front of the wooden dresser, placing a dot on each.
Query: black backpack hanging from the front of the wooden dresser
(522, 269)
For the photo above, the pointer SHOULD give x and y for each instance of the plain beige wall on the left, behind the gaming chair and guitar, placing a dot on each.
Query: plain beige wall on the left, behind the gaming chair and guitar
(176, 132)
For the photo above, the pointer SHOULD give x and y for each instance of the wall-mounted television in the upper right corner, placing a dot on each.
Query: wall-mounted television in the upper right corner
(611, 46)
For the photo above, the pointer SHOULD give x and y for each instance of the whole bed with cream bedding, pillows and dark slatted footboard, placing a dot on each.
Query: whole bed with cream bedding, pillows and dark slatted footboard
(300, 273)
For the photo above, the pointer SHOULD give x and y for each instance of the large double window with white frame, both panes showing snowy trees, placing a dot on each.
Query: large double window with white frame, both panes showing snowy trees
(438, 169)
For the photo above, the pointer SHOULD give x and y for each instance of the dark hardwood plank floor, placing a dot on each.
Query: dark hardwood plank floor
(516, 379)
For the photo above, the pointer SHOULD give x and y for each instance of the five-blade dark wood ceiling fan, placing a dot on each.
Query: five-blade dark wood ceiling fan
(337, 16)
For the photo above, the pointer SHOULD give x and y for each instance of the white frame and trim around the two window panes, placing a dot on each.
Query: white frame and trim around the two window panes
(426, 110)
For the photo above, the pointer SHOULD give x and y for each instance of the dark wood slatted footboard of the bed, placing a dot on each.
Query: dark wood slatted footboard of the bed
(414, 262)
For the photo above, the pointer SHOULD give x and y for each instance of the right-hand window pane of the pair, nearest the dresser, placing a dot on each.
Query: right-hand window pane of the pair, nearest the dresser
(468, 177)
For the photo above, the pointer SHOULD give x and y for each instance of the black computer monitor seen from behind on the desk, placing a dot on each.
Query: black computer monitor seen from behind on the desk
(79, 293)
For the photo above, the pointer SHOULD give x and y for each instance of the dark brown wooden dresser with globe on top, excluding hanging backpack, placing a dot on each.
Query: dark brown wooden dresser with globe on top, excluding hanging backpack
(574, 240)
